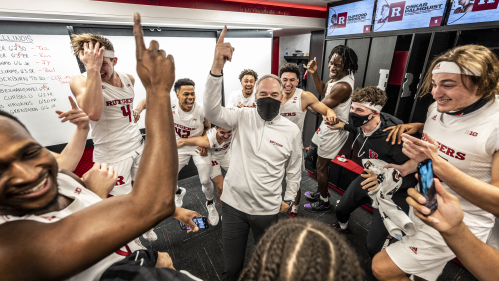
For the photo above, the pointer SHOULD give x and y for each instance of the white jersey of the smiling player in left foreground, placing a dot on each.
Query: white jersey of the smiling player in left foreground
(82, 198)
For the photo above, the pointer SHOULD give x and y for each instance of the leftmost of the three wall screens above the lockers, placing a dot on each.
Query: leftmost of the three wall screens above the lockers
(351, 18)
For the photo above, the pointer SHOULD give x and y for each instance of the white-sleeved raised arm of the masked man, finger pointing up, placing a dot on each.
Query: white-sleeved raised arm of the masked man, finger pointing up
(213, 110)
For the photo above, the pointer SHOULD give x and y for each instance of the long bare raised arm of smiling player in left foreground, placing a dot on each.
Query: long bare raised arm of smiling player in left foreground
(99, 230)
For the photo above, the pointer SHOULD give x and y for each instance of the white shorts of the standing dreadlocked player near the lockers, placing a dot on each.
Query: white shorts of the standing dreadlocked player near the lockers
(329, 142)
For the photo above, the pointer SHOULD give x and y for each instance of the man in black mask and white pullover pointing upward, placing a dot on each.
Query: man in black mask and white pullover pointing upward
(263, 143)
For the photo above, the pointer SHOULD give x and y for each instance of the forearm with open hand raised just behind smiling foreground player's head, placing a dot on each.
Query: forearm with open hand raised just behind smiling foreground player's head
(69, 158)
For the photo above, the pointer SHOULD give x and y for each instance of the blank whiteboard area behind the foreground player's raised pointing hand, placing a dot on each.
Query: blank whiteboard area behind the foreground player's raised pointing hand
(193, 59)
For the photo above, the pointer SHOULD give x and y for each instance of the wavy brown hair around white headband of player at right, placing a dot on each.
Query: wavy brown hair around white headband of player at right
(469, 57)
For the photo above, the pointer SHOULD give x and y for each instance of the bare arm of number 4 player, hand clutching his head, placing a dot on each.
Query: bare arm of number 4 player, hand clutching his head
(88, 90)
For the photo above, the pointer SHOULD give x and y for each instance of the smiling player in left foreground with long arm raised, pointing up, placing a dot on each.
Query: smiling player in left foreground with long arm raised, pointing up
(77, 233)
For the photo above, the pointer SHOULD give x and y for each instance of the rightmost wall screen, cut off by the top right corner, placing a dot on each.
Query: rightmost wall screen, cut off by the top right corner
(469, 11)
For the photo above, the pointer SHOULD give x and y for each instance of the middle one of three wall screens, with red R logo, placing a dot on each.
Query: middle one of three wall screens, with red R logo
(409, 14)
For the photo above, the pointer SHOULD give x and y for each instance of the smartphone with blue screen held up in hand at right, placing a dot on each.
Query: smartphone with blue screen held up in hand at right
(427, 184)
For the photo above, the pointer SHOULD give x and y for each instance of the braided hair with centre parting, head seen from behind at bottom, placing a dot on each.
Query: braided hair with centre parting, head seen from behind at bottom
(302, 249)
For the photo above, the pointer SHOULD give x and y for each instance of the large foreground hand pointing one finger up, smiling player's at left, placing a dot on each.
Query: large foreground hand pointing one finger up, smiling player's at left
(155, 69)
